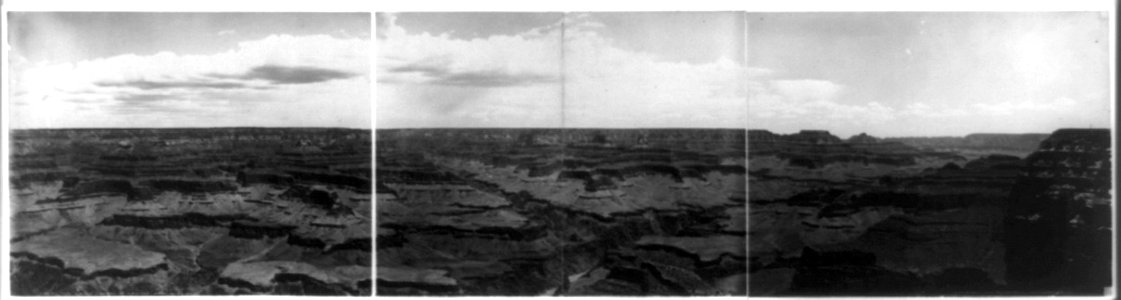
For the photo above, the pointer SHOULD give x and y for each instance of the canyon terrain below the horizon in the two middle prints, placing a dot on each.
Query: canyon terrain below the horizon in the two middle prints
(502, 212)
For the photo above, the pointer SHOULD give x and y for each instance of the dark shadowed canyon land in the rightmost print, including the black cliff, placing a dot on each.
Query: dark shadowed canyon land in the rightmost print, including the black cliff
(930, 217)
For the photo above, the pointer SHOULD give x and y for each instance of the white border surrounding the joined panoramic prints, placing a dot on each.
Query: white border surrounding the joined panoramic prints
(329, 6)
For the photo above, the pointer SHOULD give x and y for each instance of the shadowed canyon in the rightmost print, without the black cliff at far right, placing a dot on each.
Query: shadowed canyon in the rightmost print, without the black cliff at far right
(869, 217)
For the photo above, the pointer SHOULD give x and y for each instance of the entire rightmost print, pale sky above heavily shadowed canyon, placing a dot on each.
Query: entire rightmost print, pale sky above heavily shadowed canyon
(930, 154)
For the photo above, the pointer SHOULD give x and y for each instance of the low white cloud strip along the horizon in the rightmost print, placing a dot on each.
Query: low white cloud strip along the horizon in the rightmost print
(788, 106)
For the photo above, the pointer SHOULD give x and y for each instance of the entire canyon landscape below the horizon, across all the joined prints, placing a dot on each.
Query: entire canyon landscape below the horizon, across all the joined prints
(558, 212)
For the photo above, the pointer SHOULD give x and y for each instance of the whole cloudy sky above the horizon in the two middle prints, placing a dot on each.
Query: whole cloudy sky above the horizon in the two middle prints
(603, 70)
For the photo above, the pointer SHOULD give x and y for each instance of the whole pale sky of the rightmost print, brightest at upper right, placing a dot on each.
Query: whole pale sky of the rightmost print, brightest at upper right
(910, 74)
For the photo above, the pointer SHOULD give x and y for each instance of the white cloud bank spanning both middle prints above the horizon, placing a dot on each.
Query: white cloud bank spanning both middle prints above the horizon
(521, 80)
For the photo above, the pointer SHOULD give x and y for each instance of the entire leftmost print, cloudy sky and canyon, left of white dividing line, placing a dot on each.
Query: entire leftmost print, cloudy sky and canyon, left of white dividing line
(190, 154)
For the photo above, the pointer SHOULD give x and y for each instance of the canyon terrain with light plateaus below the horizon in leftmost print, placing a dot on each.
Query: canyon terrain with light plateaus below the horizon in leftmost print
(192, 212)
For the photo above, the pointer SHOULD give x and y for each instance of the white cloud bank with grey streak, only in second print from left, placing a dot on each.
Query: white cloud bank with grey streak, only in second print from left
(433, 80)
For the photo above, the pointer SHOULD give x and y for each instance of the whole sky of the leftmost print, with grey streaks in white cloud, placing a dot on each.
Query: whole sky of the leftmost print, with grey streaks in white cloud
(182, 70)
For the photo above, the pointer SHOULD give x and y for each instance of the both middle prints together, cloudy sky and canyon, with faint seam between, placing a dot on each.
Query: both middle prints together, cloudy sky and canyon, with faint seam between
(561, 155)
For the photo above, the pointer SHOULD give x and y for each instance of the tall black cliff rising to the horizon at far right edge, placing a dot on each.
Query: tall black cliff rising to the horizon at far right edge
(1059, 226)
